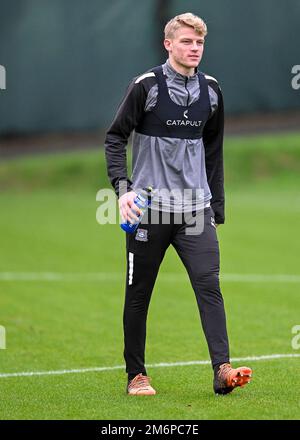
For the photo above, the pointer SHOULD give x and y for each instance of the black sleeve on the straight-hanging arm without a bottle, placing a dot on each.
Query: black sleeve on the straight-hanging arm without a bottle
(213, 144)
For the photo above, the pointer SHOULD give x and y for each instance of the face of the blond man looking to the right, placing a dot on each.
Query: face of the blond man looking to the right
(186, 47)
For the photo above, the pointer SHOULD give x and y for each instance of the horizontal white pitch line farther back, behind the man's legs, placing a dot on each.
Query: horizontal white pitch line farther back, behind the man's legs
(164, 276)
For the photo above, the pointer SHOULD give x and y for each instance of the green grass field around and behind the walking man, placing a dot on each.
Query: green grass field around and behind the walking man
(48, 226)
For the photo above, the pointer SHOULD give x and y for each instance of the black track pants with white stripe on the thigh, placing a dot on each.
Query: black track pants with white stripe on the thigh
(200, 255)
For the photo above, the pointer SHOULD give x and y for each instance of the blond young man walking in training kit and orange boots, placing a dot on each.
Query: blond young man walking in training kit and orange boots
(176, 114)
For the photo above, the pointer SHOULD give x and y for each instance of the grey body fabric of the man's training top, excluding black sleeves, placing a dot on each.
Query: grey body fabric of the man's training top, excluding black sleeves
(170, 164)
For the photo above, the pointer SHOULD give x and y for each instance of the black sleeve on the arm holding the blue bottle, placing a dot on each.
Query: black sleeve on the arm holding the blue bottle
(128, 115)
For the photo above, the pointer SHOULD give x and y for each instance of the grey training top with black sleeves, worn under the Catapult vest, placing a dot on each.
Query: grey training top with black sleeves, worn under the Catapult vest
(169, 164)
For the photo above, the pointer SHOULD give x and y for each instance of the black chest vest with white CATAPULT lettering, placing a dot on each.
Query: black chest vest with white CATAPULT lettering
(168, 119)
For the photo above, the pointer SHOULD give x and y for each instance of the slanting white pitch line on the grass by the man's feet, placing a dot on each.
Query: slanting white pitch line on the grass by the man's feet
(159, 365)
